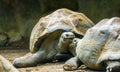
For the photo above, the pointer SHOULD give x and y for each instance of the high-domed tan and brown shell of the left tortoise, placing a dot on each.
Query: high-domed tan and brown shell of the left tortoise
(60, 20)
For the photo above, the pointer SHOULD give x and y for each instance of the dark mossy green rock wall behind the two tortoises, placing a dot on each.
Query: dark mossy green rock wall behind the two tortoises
(18, 17)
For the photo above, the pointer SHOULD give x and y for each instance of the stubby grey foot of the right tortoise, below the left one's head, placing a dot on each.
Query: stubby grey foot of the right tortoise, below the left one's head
(72, 64)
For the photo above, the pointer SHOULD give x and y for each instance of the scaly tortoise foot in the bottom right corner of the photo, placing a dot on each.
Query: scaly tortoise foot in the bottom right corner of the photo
(113, 66)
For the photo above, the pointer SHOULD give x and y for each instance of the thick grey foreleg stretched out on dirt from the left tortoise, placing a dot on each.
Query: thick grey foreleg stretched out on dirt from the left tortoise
(30, 60)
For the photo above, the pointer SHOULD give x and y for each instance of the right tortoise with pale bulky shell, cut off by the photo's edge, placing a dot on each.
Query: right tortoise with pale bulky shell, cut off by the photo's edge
(99, 49)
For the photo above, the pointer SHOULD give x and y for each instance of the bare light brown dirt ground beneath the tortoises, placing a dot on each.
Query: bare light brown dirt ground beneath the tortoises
(11, 54)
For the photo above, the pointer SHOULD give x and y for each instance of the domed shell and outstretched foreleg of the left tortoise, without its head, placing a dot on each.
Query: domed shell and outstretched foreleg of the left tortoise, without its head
(46, 33)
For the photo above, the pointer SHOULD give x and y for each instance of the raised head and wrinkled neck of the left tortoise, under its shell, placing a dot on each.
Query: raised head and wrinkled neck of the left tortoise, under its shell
(64, 50)
